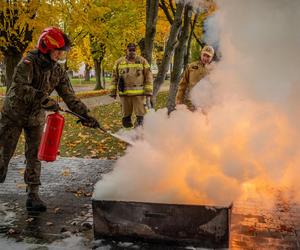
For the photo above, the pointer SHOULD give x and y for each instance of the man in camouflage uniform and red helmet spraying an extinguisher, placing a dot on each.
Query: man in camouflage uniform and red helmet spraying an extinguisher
(34, 79)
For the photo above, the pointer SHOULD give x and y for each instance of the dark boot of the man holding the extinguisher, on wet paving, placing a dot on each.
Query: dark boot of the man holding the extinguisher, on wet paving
(34, 203)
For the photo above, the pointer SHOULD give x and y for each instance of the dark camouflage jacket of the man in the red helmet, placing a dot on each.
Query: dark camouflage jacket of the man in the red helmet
(36, 73)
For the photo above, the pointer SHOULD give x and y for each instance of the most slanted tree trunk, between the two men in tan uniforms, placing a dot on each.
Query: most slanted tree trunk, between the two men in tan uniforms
(171, 44)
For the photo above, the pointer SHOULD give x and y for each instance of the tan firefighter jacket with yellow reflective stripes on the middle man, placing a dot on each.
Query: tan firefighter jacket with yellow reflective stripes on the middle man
(136, 76)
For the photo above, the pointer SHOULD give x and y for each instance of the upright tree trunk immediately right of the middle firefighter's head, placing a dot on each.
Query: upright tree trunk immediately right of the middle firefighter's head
(151, 20)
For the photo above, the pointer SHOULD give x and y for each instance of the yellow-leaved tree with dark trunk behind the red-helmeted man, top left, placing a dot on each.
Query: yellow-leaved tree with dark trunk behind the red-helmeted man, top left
(21, 22)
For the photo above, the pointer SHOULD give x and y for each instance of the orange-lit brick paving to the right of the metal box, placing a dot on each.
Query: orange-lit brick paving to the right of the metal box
(256, 227)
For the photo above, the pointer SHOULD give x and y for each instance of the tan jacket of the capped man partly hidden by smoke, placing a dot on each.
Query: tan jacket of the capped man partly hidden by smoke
(191, 76)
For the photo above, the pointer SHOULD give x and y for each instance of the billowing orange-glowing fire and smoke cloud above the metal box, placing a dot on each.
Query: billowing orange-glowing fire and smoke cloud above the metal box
(192, 159)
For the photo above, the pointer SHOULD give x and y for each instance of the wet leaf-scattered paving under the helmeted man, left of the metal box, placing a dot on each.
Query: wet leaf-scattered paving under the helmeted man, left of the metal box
(67, 189)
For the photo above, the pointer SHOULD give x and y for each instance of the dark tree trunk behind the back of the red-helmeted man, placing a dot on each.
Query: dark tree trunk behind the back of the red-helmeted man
(11, 59)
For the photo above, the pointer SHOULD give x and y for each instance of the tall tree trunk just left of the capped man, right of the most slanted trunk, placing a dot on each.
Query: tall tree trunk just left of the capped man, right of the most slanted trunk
(179, 54)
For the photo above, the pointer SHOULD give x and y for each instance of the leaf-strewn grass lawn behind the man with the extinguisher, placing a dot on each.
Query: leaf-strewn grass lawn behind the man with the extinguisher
(80, 141)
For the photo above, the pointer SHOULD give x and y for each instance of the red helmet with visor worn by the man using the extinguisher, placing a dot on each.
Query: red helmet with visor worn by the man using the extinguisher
(53, 38)
